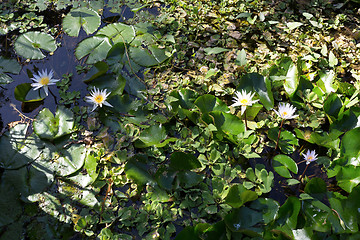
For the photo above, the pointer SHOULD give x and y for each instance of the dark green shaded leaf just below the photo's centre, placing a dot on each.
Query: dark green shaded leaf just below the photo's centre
(183, 161)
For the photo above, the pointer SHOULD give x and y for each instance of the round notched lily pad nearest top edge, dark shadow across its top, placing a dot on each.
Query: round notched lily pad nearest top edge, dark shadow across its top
(86, 18)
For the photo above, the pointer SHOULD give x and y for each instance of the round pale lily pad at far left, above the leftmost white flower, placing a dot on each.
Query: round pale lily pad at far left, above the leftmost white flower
(29, 45)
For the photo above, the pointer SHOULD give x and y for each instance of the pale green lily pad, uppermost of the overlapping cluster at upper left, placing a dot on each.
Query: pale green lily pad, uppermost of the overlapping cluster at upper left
(118, 32)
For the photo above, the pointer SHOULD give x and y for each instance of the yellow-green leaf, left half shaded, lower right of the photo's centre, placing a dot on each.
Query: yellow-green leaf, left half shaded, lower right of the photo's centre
(239, 195)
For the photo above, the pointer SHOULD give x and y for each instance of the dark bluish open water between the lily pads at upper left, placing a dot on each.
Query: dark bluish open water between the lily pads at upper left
(63, 61)
